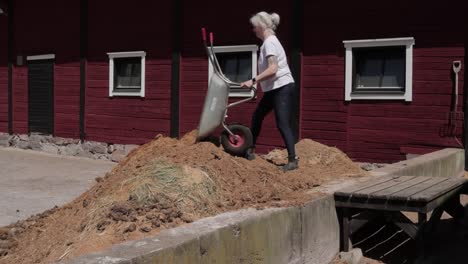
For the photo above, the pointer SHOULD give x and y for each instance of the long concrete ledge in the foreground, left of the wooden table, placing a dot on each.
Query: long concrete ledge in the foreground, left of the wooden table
(307, 234)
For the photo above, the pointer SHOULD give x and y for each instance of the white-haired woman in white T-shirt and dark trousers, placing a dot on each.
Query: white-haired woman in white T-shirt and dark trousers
(277, 84)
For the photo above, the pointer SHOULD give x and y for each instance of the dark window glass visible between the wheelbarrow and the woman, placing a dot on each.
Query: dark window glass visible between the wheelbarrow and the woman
(236, 66)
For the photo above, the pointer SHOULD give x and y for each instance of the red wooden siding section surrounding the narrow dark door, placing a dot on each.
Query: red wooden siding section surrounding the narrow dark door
(45, 27)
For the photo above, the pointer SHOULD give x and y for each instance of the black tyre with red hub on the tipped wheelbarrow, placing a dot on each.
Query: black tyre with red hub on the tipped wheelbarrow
(238, 144)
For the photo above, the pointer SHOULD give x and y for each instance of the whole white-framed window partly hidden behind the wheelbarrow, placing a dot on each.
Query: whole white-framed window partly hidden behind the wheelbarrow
(238, 63)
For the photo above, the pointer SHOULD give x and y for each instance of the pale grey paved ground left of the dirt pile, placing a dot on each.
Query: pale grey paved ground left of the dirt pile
(31, 182)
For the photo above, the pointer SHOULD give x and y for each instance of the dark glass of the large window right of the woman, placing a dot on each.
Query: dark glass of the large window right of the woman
(379, 68)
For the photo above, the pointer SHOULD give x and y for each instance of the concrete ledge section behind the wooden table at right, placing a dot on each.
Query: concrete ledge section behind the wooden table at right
(447, 162)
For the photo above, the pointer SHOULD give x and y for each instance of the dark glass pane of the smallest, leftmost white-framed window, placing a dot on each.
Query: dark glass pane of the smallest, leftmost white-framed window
(127, 72)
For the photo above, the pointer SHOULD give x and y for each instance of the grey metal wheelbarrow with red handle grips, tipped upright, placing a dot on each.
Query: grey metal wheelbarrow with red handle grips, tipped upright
(236, 139)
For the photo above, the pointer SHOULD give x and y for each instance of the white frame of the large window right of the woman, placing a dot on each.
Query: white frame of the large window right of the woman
(388, 42)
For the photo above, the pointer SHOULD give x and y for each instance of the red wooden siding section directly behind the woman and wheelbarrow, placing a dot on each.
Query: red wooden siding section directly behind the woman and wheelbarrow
(230, 28)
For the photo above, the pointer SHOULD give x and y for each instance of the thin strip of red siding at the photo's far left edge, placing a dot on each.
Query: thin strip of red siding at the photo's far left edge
(3, 74)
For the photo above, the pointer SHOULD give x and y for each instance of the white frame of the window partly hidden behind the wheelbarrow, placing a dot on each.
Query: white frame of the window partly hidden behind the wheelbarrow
(235, 49)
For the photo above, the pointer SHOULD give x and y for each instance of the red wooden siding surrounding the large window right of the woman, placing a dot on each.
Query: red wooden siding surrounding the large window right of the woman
(381, 131)
